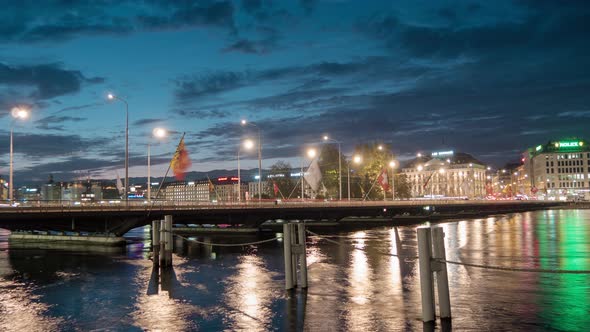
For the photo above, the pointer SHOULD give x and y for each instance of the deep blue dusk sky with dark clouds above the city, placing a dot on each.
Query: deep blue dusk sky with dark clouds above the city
(490, 78)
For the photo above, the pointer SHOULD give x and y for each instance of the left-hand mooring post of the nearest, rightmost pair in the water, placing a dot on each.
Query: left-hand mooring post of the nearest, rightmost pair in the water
(426, 285)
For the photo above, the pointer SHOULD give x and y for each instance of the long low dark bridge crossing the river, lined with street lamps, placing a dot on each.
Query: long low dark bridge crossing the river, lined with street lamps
(118, 219)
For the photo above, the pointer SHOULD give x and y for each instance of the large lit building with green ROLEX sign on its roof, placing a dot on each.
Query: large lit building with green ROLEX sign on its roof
(560, 169)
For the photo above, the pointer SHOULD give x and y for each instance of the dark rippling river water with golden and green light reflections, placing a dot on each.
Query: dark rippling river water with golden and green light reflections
(241, 289)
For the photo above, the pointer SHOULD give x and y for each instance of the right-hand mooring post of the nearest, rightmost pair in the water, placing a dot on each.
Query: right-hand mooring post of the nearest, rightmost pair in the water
(442, 279)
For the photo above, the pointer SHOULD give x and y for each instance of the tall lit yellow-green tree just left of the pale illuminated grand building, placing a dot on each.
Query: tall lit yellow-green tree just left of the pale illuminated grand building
(373, 162)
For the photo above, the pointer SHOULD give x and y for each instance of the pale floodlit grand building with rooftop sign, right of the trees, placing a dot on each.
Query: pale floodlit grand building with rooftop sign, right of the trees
(446, 174)
